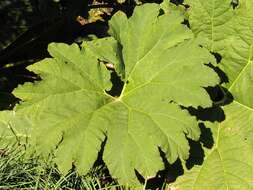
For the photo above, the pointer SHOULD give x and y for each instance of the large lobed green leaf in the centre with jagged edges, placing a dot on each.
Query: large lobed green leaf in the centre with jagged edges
(162, 67)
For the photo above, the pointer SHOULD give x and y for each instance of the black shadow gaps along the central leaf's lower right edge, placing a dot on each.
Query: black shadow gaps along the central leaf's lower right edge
(220, 96)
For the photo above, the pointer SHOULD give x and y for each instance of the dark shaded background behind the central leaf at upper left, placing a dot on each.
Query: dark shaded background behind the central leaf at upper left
(28, 26)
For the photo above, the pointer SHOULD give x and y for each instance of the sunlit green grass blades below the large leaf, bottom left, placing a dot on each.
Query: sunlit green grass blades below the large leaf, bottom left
(19, 172)
